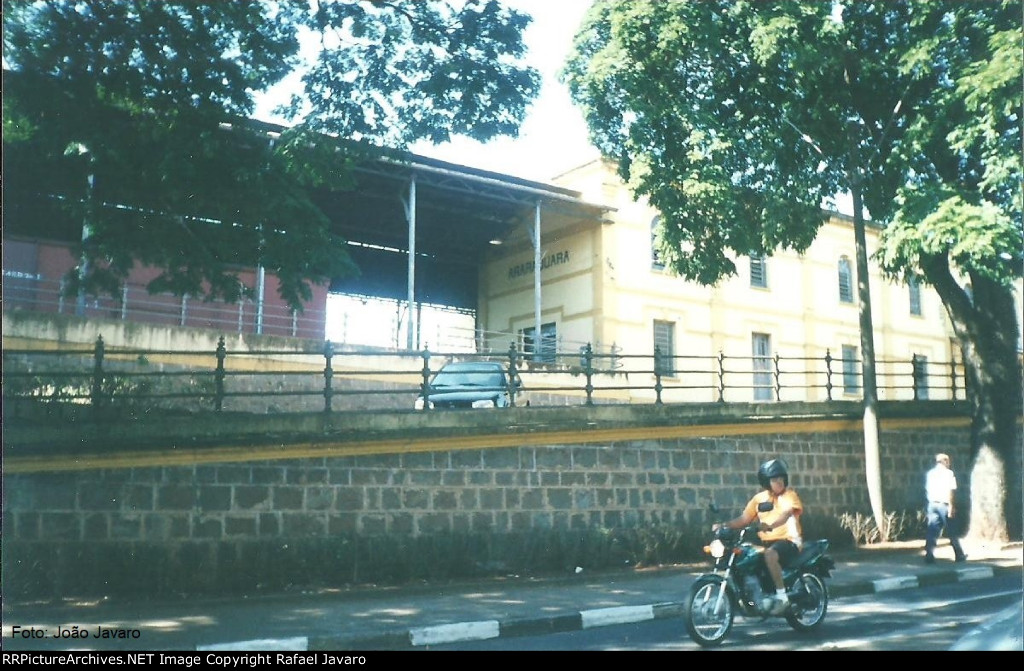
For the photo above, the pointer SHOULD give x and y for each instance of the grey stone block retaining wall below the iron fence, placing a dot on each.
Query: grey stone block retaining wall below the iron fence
(275, 523)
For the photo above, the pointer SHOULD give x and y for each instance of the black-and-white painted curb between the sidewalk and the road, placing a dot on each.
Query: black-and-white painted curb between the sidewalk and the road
(488, 630)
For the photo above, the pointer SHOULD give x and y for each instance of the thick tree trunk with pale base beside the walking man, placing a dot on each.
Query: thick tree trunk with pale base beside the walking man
(986, 324)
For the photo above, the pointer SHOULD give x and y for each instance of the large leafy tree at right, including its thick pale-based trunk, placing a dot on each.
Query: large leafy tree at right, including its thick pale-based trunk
(737, 120)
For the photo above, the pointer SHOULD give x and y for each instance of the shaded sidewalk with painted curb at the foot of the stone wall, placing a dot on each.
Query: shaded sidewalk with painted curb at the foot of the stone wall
(410, 617)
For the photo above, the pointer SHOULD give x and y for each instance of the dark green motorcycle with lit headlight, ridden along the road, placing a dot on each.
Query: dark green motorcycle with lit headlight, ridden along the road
(740, 583)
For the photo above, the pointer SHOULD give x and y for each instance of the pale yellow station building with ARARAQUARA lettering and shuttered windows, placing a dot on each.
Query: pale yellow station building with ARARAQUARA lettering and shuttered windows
(602, 282)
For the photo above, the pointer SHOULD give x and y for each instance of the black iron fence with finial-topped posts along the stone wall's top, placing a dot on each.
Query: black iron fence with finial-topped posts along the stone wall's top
(336, 381)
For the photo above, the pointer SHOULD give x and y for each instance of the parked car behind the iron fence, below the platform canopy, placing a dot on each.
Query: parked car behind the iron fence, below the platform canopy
(474, 385)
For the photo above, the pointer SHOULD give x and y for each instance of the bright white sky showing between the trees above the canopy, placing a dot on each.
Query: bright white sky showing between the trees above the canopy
(553, 138)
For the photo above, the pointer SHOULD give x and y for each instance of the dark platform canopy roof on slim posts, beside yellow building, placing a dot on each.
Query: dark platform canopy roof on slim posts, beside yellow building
(461, 213)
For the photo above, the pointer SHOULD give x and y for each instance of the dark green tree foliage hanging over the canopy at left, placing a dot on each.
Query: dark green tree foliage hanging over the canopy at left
(133, 118)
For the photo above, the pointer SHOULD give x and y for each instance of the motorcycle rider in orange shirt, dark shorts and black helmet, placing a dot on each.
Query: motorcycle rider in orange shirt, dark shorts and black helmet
(779, 529)
